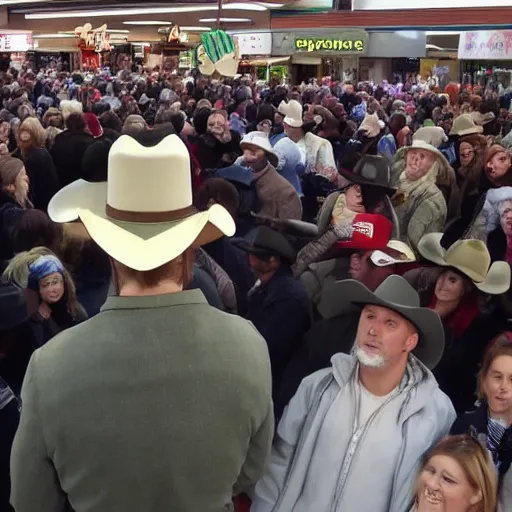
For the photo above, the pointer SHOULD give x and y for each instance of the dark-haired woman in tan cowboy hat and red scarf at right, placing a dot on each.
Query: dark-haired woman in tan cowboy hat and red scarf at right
(453, 288)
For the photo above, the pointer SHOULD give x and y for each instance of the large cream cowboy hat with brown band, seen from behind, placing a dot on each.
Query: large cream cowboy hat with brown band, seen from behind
(143, 215)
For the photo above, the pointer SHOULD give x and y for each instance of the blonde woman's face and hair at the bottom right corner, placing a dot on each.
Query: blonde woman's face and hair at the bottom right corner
(456, 476)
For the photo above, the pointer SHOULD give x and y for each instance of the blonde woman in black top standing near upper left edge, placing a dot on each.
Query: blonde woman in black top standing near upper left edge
(38, 162)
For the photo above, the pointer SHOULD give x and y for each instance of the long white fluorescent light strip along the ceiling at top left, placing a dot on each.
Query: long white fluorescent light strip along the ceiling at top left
(138, 11)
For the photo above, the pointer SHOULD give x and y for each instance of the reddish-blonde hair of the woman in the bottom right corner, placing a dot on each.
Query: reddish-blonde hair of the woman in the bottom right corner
(479, 470)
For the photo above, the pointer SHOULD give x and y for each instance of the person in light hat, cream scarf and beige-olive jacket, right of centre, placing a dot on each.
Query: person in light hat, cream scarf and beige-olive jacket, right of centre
(419, 204)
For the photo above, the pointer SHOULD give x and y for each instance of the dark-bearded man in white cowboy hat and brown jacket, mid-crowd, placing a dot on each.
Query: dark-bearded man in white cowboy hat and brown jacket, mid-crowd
(277, 196)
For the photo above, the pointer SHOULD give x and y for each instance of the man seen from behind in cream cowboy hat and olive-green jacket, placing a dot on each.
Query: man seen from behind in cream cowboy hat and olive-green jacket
(145, 406)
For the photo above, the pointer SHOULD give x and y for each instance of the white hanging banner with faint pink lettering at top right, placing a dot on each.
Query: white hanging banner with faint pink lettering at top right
(486, 45)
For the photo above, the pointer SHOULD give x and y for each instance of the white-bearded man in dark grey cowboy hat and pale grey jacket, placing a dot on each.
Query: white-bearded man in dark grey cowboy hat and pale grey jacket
(353, 435)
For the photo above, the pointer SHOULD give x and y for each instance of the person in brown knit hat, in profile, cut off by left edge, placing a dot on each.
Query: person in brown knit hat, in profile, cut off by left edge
(14, 190)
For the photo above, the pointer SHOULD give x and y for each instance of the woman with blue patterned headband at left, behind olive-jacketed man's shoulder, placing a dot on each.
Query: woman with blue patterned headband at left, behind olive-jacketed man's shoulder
(41, 271)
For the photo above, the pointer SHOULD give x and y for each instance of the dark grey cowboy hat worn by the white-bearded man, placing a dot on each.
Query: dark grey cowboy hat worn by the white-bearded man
(394, 293)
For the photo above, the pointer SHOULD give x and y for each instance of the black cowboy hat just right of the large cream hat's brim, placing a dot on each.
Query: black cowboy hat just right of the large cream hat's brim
(264, 241)
